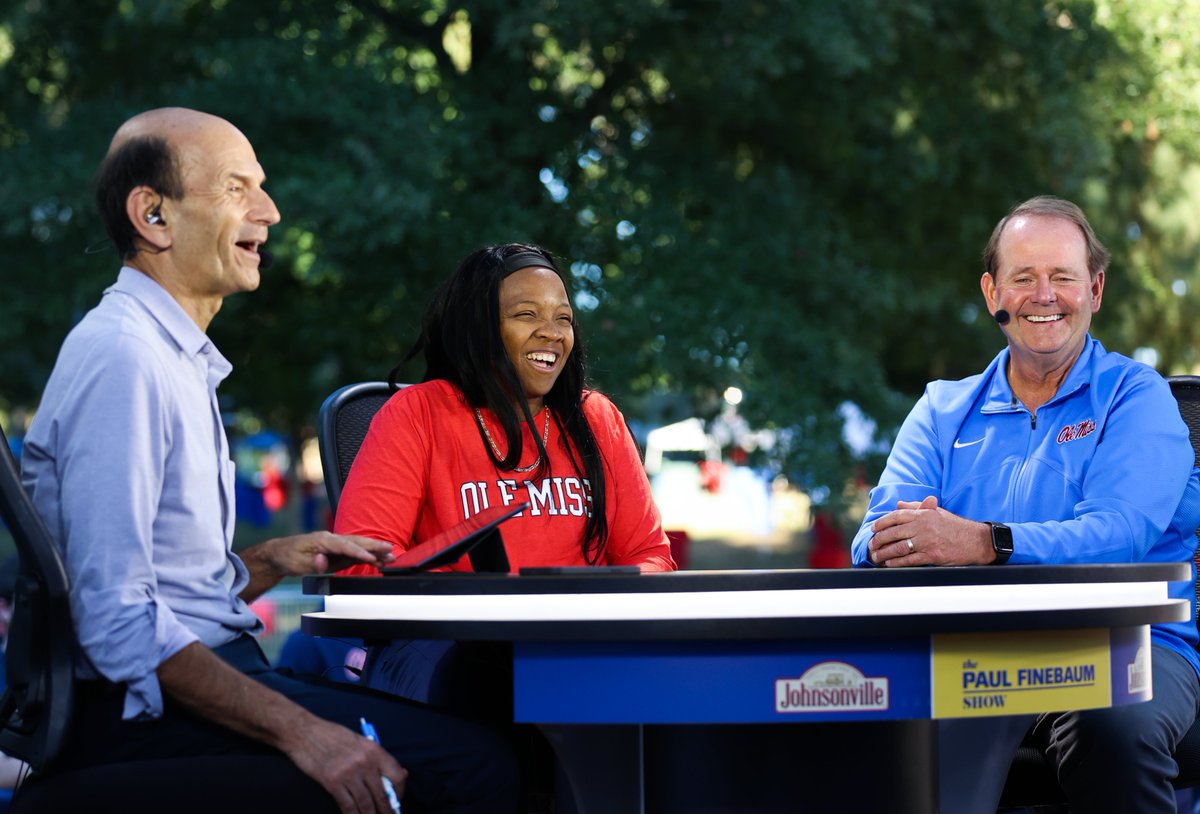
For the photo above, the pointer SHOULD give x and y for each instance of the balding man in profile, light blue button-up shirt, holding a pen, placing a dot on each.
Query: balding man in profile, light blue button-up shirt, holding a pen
(129, 465)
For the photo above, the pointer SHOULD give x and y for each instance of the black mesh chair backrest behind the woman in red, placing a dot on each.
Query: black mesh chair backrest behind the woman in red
(343, 426)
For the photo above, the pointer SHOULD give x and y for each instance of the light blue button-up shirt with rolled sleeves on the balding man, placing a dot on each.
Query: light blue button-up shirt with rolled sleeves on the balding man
(129, 465)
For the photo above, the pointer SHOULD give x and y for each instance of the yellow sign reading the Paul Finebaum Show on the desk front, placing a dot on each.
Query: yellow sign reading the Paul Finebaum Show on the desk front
(998, 659)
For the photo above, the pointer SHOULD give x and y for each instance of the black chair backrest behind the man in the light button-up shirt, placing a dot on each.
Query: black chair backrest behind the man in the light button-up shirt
(38, 703)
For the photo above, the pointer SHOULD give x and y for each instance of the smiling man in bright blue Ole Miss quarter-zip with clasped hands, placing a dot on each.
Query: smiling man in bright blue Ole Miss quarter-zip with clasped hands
(1060, 452)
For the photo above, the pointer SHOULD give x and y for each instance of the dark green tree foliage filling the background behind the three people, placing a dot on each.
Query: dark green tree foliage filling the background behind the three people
(787, 196)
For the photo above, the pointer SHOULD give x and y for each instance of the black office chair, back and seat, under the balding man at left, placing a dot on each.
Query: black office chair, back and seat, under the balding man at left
(37, 708)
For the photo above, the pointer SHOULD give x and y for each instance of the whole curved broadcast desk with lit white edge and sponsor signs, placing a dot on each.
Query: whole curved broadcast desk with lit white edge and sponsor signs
(667, 692)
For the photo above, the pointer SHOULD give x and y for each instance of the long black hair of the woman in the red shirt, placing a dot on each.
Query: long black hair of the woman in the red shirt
(461, 344)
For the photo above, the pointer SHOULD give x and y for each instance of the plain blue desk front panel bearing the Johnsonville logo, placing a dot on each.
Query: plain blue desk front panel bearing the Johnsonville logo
(715, 683)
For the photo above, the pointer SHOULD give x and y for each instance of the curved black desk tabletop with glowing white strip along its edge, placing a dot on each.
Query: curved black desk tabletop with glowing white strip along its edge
(713, 606)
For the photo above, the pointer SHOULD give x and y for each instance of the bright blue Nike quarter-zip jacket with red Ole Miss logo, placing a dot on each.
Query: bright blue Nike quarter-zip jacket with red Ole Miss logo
(1102, 474)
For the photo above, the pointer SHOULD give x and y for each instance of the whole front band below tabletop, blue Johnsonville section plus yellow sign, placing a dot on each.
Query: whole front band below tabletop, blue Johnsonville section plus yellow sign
(887, 679)
